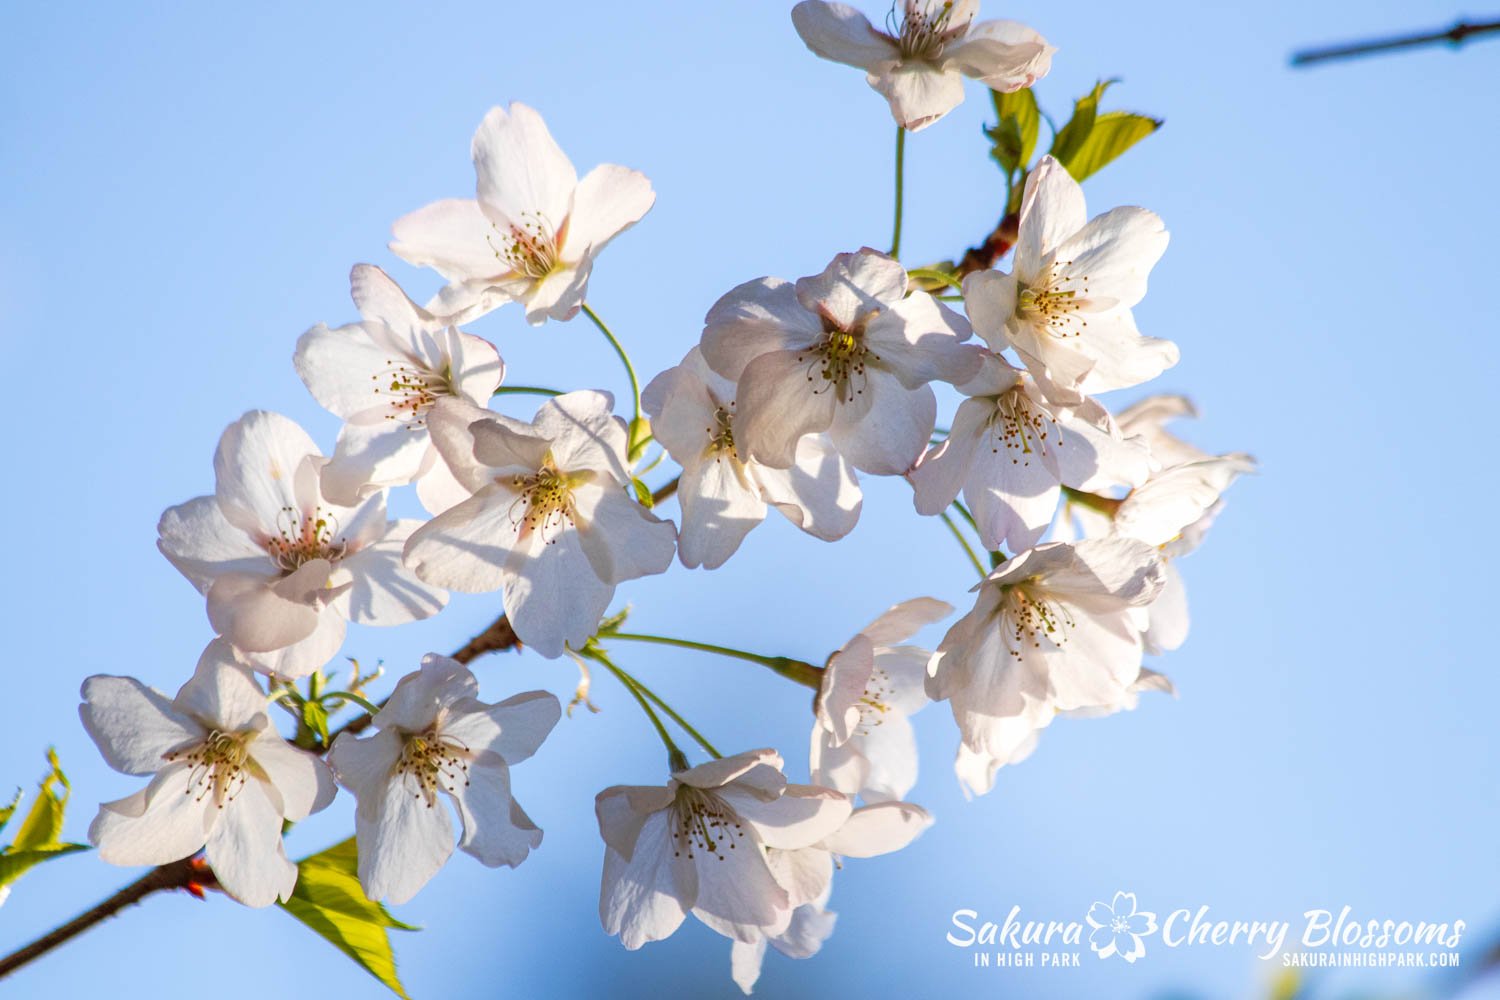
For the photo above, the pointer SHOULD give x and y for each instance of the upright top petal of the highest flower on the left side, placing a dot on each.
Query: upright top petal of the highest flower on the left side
(523, 173)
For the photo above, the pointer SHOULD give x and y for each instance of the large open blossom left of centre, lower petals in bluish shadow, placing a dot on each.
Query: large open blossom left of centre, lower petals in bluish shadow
(550, 521)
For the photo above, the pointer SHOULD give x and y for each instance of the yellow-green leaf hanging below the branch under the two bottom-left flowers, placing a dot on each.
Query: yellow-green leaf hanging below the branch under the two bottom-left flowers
(331, 902)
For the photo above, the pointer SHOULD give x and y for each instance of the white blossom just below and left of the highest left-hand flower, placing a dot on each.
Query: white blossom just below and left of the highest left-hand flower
(383, 376)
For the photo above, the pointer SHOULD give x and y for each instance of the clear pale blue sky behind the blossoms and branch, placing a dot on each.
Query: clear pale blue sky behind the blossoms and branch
(185, 191)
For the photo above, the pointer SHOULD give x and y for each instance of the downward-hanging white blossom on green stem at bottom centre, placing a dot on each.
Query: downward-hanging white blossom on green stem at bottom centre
(703, 845)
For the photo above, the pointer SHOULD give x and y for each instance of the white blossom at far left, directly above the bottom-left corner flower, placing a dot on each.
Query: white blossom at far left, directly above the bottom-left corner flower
(286, 569)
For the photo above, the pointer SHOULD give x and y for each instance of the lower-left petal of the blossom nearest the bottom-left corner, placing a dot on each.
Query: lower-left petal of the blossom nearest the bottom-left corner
(164, 822)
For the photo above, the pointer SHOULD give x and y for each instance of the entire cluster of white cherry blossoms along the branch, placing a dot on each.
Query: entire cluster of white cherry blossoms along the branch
(794, 391)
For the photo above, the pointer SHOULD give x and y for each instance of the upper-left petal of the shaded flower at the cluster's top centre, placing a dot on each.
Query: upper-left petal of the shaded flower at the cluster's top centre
(760, 317)
